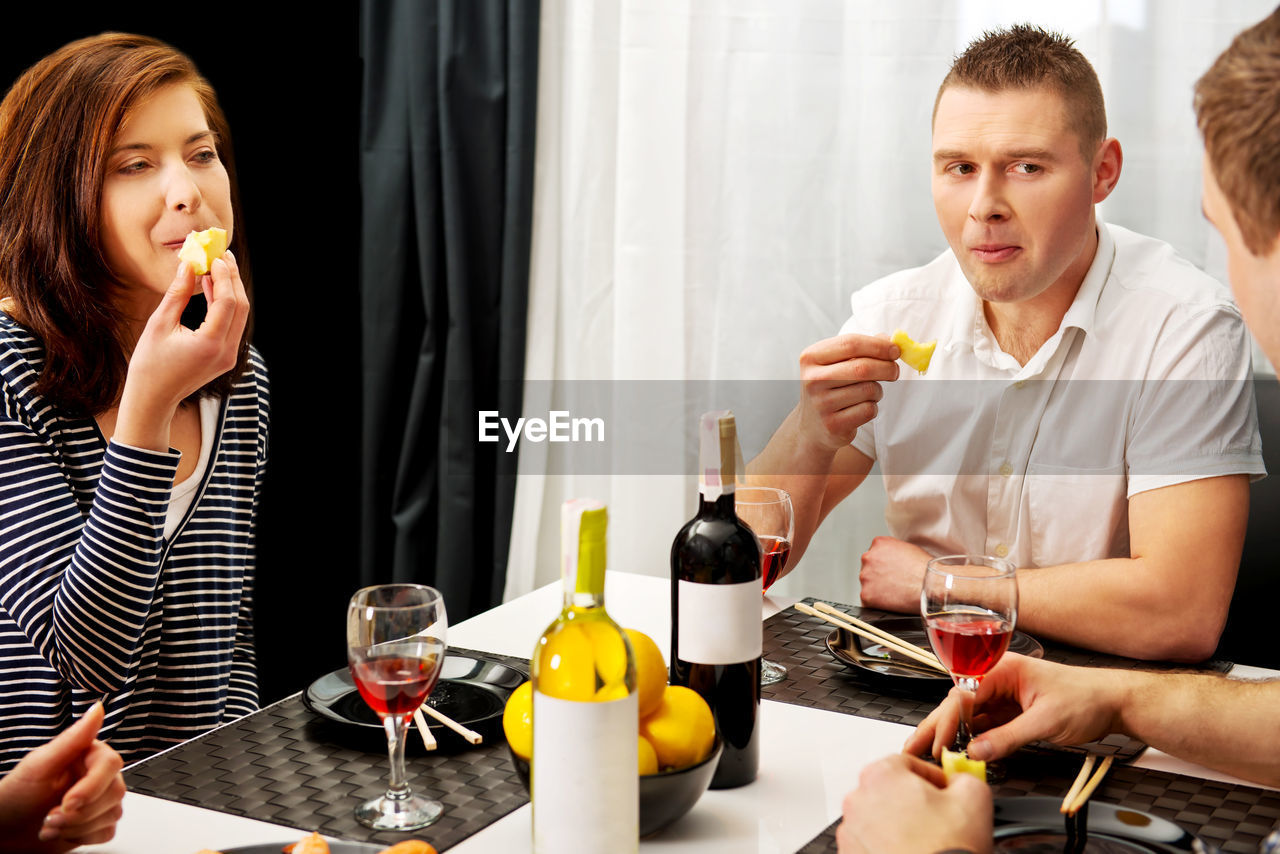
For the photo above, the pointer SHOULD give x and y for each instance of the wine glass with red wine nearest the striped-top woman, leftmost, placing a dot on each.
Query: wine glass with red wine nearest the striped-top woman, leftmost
(396, 649)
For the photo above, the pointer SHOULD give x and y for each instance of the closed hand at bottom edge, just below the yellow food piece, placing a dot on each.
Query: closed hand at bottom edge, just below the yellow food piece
(906, 805)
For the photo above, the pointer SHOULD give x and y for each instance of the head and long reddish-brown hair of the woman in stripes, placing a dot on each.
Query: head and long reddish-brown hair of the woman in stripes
(112, 149)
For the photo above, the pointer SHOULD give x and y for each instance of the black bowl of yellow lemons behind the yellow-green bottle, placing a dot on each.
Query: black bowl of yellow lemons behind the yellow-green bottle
(678, 746)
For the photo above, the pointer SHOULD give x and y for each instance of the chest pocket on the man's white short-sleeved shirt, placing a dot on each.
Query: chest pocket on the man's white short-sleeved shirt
(1077, 514)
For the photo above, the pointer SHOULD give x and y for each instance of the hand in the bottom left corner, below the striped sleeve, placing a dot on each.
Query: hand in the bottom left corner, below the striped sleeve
(63, 794)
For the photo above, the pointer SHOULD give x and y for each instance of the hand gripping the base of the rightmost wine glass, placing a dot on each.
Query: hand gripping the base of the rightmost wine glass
(1023, 701)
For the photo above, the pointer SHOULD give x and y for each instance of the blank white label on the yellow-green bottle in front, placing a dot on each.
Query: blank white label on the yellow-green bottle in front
(586, 778)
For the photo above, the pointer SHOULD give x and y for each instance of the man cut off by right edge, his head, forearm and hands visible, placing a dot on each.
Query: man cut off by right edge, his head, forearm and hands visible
(1233, 725)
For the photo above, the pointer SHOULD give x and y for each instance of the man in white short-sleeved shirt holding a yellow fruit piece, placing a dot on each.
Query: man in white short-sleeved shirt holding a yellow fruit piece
(1089, 412)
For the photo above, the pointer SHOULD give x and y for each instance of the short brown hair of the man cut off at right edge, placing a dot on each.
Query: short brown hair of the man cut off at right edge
(1238, 112)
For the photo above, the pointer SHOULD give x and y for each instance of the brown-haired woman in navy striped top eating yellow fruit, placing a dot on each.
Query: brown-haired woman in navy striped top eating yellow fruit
(131, 446)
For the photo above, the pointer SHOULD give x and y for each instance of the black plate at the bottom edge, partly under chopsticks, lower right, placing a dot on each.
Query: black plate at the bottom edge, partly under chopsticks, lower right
(1034, 825)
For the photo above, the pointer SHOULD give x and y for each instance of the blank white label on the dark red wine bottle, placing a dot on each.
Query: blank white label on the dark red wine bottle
(720, 624)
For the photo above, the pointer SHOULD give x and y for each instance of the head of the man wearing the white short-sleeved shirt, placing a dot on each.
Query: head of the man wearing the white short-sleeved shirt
(1021, 158)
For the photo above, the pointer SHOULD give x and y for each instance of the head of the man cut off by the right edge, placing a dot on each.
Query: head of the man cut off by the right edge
(1238, 112)
